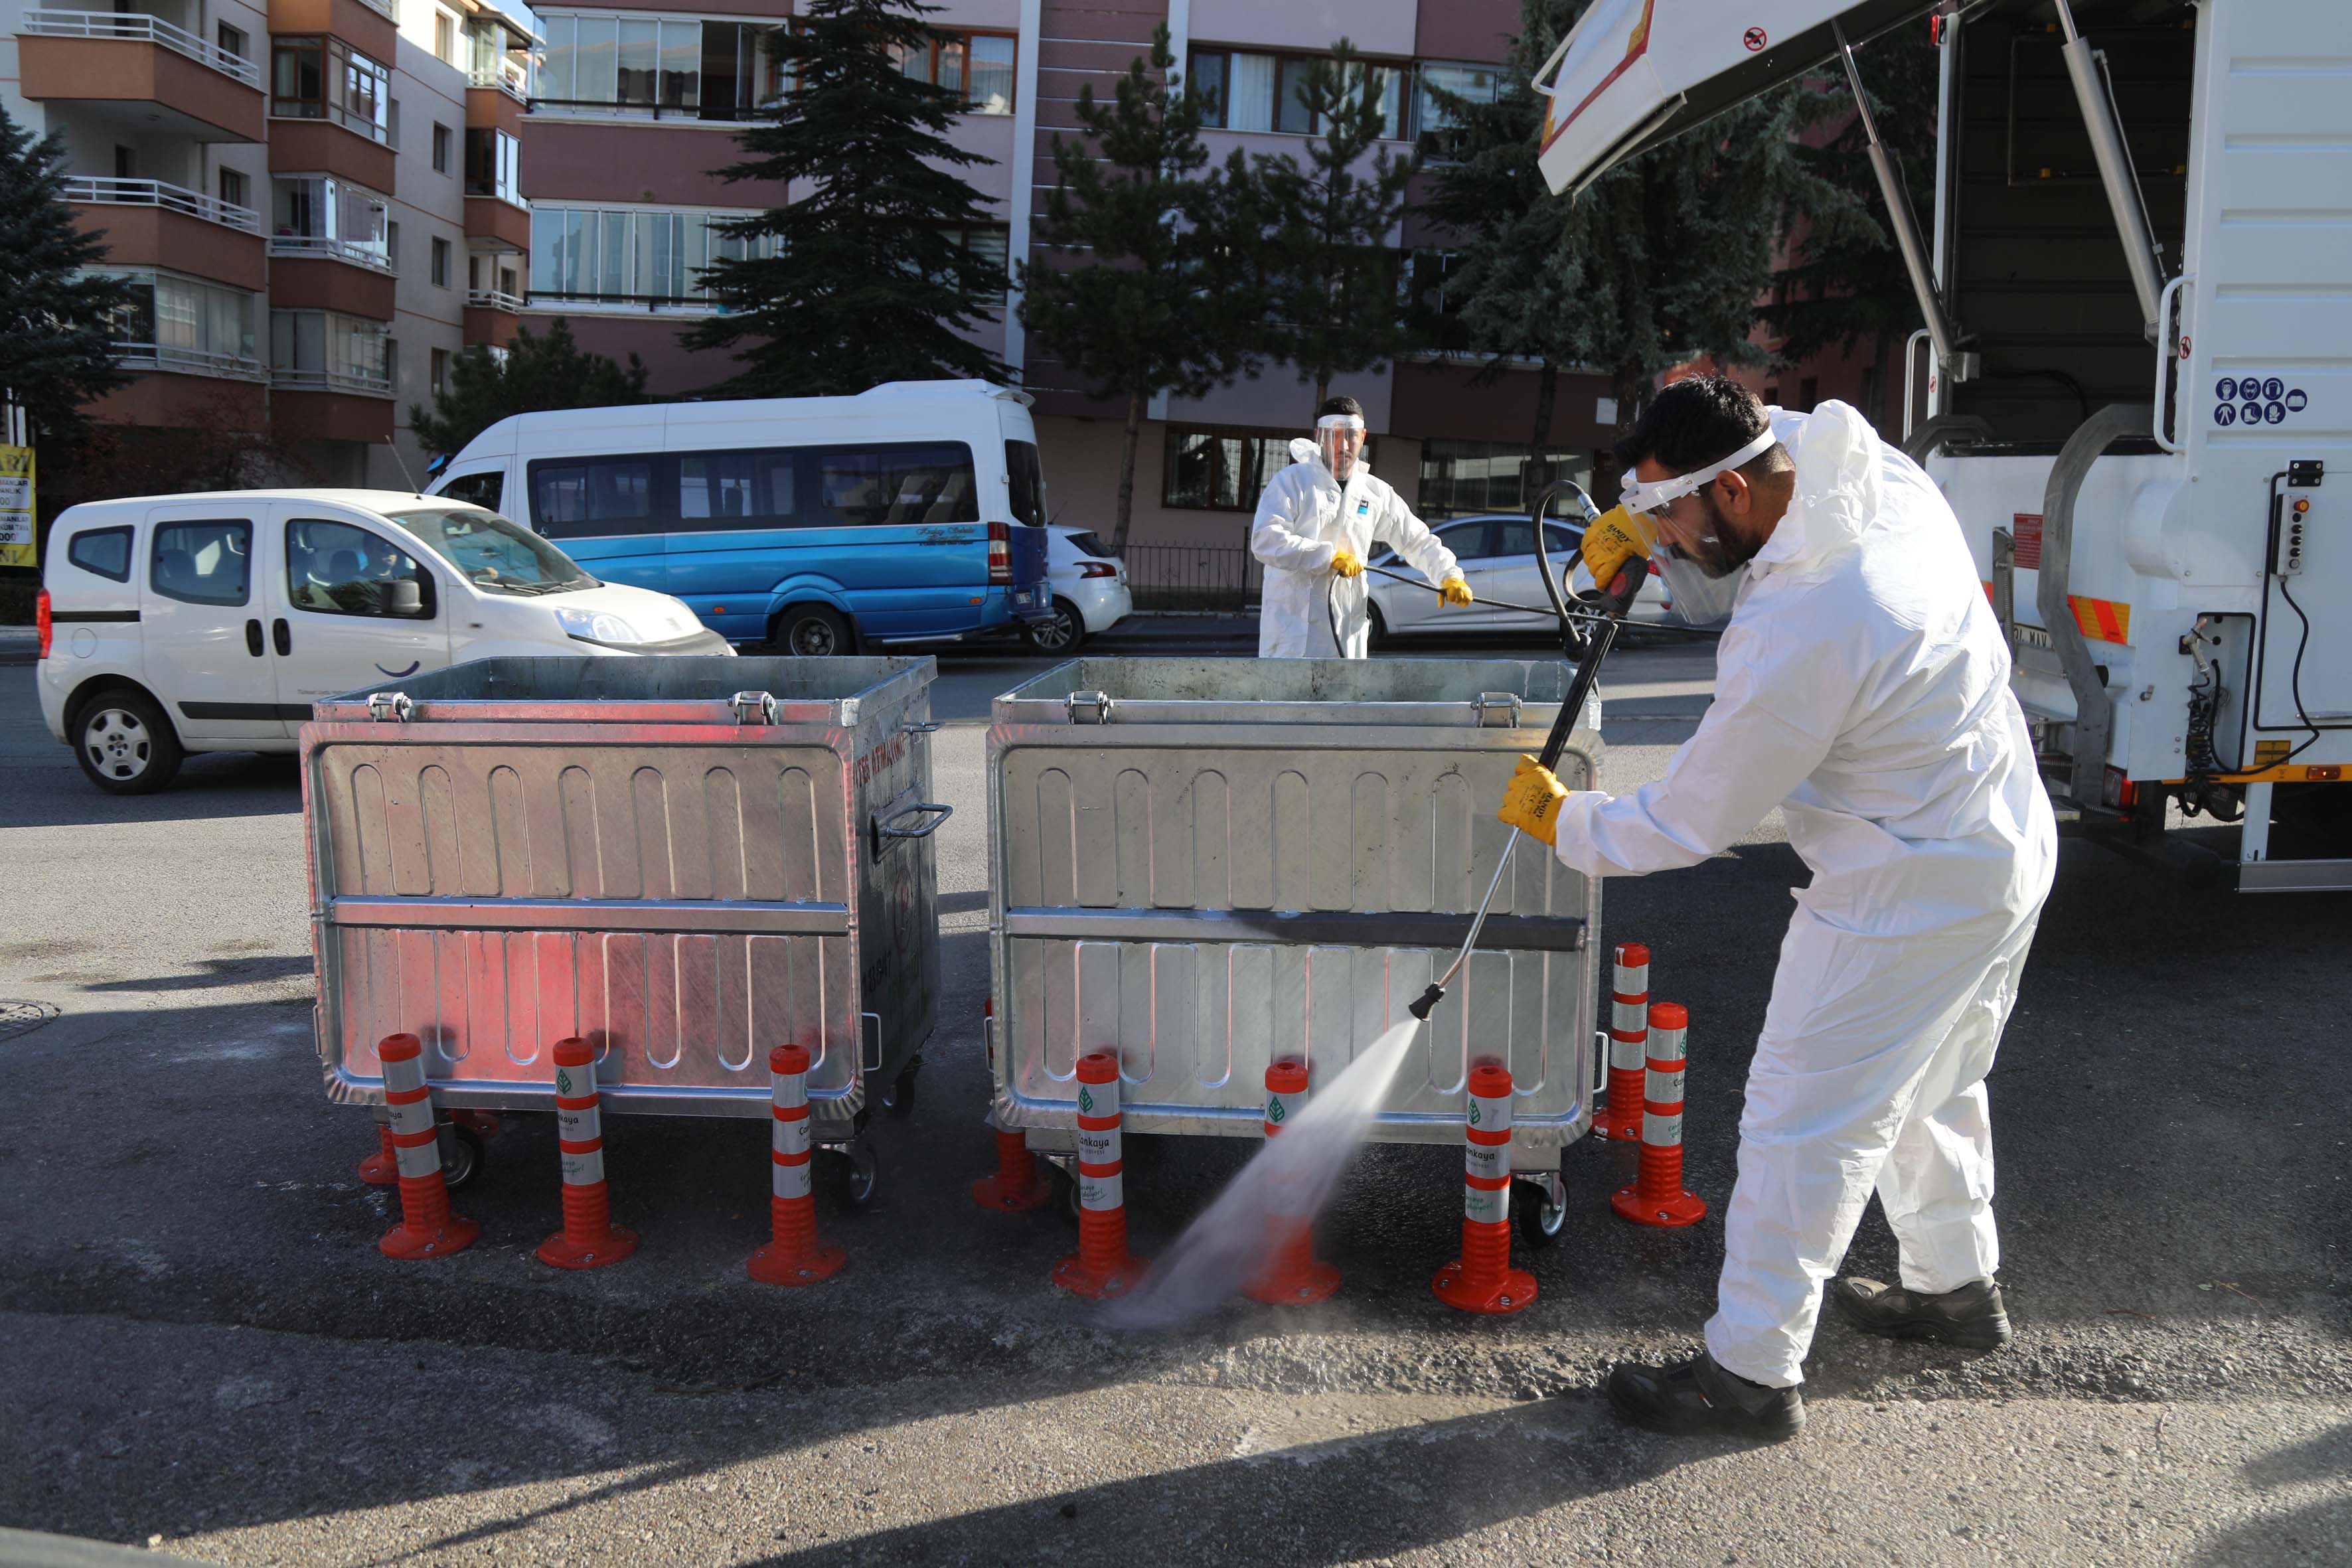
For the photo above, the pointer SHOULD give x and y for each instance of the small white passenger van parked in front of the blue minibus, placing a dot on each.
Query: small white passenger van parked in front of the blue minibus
(213, 622)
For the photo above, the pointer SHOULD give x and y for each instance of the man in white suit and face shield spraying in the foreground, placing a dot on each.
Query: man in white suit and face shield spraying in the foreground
(1864, 690)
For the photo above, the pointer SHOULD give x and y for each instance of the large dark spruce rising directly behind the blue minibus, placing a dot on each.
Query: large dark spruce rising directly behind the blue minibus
(864, 279)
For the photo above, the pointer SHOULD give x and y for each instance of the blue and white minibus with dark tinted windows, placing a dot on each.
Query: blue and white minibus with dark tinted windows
(817, 525)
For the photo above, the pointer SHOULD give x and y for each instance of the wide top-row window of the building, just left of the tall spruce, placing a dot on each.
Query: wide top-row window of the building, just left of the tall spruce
(660, 67)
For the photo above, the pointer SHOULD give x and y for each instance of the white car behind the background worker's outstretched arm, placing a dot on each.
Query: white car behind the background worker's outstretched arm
(1499, 563)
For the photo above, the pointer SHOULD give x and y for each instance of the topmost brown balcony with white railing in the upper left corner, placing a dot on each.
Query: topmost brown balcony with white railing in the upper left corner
(142, 72)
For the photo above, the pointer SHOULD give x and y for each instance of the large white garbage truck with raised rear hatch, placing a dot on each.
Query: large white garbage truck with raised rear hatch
(2137, 370)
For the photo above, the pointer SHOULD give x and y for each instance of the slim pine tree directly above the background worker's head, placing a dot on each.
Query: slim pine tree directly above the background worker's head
(1335, 307)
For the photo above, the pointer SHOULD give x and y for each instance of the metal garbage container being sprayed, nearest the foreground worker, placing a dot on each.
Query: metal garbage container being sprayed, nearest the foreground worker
(1210, 864)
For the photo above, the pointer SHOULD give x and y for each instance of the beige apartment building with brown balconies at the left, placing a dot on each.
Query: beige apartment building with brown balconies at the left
(316, 201)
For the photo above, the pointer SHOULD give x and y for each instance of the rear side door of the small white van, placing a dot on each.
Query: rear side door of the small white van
(206, 645)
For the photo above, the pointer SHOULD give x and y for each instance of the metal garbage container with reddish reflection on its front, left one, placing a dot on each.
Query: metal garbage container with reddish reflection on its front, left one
(681, 859)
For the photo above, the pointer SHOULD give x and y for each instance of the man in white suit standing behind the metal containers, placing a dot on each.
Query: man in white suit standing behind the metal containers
(1316, 525)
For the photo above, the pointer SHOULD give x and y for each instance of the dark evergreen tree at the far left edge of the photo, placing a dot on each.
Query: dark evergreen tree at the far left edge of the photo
(55, 319)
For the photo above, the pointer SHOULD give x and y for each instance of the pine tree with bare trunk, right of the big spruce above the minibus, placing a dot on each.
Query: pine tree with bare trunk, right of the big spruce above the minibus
(1154, 283)
